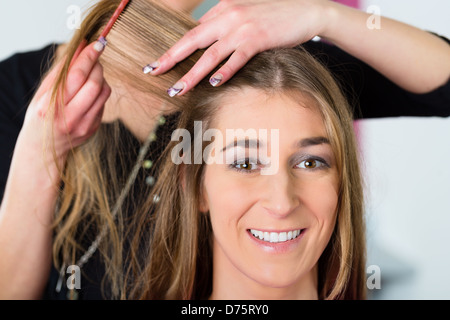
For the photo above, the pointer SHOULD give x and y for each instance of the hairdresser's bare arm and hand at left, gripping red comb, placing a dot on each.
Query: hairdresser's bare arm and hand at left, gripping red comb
(28, 206)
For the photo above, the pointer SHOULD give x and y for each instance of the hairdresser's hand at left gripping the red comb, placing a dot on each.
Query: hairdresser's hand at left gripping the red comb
(79, 115)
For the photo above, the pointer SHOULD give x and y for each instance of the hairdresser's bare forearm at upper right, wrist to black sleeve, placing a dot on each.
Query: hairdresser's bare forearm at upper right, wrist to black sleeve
(414, 59)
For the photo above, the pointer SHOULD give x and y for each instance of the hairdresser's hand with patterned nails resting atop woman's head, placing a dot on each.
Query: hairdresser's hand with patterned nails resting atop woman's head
(240, 29)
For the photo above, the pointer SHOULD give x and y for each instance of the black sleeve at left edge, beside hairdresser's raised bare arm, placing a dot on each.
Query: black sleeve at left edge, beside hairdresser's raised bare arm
(19, 78)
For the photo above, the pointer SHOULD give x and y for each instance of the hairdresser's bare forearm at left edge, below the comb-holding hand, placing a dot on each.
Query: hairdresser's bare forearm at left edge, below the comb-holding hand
(26, 216)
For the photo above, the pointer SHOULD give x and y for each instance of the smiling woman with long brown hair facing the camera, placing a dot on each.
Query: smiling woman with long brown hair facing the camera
(223, 230)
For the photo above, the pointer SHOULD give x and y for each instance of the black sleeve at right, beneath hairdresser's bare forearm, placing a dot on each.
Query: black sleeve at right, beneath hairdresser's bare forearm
(374, 96)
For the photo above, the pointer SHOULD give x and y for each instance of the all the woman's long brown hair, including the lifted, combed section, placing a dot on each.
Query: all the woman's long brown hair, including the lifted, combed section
(179, 264)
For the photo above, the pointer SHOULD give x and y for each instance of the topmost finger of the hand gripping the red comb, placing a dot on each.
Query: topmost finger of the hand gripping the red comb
(81, 69)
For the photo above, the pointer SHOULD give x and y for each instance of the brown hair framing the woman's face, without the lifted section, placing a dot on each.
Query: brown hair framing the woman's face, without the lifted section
(180, 257)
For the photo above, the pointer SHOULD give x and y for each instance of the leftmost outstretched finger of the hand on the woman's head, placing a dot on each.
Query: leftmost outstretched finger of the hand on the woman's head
(200, 37)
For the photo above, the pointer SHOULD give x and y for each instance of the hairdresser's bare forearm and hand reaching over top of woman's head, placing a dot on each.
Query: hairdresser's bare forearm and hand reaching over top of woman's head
(239, 29)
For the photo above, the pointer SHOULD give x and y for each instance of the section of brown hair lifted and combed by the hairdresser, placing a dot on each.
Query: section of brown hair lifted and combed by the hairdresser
(96, 172)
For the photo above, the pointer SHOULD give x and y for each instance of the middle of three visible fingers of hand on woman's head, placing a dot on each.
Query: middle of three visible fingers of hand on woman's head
(212, 57)
